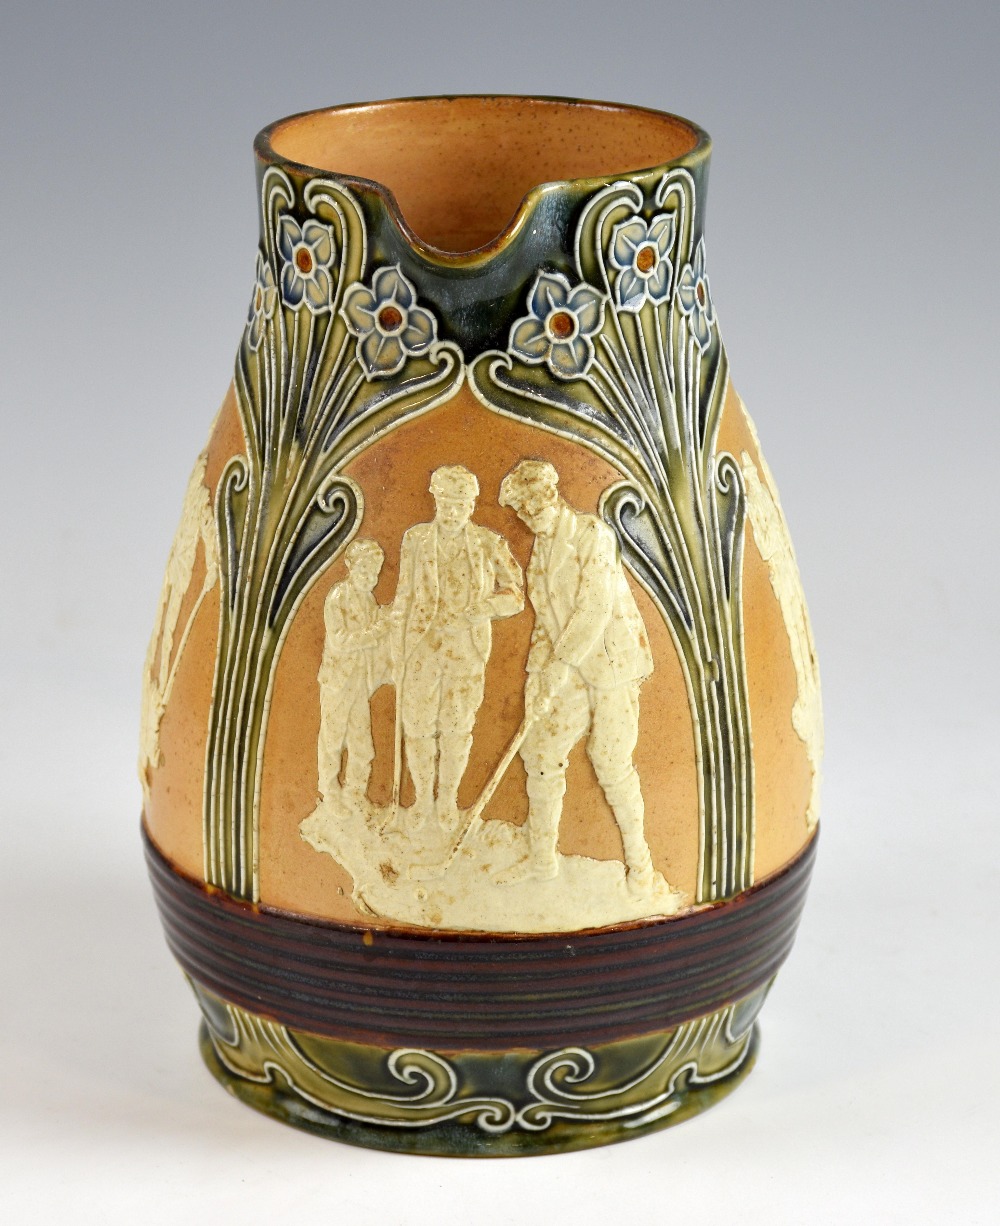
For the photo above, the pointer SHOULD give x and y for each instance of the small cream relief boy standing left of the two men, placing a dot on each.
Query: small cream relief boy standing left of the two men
(355, 665)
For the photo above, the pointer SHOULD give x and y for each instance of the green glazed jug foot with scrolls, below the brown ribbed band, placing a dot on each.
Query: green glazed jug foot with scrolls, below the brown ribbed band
(479, 1104)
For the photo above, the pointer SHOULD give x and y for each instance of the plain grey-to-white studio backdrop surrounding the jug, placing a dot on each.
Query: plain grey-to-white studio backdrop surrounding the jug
(854, 252)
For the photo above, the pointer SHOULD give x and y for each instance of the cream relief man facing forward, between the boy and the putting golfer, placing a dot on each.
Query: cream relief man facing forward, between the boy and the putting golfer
(455, 579)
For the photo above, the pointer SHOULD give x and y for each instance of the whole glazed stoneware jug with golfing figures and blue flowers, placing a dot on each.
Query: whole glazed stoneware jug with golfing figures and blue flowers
(482, 731)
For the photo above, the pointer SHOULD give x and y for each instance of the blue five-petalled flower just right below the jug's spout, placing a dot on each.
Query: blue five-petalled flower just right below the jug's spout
(559, 327)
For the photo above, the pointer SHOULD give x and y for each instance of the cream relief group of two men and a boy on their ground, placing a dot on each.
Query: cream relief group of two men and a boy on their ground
(433, 864)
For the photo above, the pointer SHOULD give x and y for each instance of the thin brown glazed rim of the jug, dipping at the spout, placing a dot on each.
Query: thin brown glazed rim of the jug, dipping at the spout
(268, 156)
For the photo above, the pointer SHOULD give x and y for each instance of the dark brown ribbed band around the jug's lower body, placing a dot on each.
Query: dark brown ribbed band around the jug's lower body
(472, 991)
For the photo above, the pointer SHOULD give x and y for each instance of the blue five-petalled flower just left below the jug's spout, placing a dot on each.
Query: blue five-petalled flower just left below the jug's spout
(389, 324)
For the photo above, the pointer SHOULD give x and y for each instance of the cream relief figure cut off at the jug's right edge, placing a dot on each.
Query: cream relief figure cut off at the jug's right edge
(775, 545)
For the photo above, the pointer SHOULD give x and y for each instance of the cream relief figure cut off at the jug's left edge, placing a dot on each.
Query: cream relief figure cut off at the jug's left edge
(162, 658)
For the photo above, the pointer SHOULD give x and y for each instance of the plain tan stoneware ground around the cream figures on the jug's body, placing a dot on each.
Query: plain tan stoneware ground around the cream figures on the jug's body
(394, 475)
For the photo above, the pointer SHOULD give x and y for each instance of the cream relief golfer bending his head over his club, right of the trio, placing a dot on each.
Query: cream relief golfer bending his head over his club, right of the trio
(588, 660)
